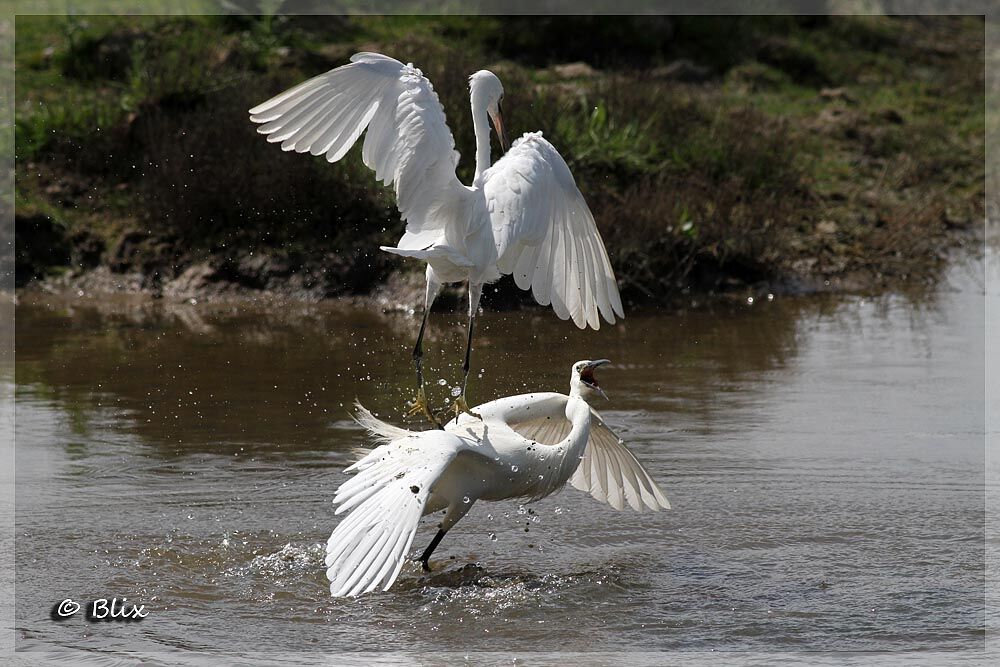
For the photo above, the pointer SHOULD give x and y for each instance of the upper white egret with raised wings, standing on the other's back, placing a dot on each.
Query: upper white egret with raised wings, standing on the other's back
(523, 216)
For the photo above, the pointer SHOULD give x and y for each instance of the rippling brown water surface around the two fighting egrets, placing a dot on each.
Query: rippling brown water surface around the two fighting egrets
(824, 458)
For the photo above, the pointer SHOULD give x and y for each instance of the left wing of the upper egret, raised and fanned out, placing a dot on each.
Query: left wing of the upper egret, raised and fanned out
(408, 142)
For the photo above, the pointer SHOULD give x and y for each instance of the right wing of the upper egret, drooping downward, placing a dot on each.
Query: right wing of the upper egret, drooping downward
(546, 235)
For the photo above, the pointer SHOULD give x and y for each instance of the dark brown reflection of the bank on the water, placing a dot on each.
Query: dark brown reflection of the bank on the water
(187, 377)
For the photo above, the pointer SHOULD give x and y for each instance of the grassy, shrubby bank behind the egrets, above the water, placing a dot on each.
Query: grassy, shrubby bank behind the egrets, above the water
(716, 153)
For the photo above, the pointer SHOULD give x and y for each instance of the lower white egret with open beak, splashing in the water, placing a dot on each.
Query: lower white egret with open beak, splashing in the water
(526, 446)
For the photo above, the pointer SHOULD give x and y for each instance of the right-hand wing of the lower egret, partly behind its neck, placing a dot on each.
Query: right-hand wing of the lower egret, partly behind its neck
(608, 470)
